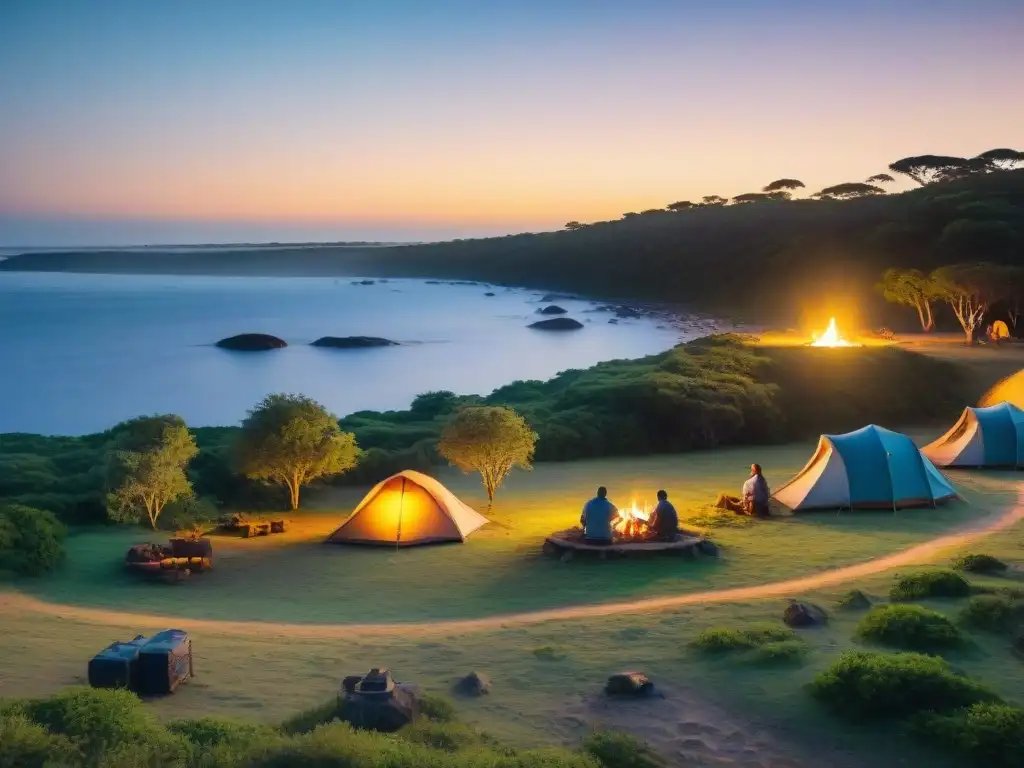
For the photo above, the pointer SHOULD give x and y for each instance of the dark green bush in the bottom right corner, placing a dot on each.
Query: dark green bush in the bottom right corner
(988, 735)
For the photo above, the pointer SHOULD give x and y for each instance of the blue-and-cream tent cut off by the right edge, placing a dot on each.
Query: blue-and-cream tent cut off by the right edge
(991, 437)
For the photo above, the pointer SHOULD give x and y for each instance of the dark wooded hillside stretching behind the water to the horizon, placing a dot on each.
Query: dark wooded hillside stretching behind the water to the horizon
(763, 260)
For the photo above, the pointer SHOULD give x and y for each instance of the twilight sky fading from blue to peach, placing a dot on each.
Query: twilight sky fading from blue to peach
(162, 121)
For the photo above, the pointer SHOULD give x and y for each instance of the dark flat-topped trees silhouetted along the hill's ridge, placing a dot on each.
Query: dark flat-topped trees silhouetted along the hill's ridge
(924, 169)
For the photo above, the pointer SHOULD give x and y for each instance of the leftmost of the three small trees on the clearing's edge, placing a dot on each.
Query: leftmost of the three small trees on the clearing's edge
(148, 467)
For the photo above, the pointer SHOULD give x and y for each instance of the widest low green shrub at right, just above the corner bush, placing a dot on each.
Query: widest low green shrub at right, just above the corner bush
(873, 686)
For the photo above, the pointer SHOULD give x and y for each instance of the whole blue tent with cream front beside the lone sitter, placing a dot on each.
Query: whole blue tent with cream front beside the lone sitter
(872, 468)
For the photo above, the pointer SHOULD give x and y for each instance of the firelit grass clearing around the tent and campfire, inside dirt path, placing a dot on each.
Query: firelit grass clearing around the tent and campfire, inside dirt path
(296, 579)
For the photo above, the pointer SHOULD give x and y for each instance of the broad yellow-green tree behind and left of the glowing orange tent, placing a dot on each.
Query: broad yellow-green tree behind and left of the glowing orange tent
(291, 441)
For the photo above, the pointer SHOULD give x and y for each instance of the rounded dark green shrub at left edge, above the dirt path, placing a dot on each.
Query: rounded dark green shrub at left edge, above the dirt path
(31, 540)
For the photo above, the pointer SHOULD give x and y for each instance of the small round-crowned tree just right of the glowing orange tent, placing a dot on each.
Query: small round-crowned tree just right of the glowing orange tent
(488, 440)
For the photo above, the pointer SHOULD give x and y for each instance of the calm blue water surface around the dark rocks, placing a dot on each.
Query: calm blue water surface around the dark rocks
(80, 353)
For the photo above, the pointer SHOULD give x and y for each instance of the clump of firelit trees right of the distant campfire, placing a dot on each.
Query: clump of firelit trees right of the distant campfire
(972, 291)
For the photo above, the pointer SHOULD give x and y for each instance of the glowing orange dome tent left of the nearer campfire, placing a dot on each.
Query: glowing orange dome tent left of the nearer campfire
(406, 509)
